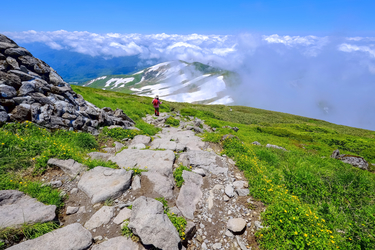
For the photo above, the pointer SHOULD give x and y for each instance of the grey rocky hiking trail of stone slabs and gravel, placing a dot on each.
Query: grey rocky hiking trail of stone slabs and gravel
(214, 198)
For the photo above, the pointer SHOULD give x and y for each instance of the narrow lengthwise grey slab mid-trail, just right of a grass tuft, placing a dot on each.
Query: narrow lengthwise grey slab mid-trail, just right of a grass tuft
(190, 194)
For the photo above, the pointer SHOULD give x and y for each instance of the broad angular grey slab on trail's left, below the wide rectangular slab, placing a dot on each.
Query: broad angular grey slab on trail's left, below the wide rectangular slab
(102, 183)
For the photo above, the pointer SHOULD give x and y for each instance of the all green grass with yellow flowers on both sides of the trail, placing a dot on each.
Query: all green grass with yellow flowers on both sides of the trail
(313, 201)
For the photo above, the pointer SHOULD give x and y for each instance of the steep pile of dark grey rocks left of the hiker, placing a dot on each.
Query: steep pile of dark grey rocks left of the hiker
(31, 90)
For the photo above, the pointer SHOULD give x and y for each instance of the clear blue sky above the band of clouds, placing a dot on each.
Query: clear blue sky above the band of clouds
(292, 17)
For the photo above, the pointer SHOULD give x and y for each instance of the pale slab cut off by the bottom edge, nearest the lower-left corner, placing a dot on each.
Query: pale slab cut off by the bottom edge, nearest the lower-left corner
(71, 237)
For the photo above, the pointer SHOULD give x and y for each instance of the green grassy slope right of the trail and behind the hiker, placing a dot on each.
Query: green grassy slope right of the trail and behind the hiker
(314, 201)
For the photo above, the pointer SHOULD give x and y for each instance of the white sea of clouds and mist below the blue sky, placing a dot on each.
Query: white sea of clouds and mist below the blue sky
(330, 78)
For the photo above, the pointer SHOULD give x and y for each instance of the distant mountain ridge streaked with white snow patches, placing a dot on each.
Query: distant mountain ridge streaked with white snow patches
(174, 81)
